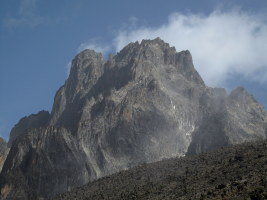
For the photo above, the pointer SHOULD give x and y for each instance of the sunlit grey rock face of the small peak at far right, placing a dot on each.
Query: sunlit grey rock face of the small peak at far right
(246, 118)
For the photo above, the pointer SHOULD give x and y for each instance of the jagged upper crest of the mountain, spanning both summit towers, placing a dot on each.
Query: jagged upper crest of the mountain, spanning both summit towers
(136, 63)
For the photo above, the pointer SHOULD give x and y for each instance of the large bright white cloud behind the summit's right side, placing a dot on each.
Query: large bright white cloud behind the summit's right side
(222, 44)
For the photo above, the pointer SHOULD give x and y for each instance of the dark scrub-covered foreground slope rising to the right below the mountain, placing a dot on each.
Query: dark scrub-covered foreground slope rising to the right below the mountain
(236, 172)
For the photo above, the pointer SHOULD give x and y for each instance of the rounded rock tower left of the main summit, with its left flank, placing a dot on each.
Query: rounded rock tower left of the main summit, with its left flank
(86, 68)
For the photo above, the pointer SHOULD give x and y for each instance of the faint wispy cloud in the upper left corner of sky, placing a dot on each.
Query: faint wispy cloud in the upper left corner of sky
(26, 15)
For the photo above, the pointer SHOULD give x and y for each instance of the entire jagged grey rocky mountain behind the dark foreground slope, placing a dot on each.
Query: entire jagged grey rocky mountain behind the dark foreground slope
(145, 104)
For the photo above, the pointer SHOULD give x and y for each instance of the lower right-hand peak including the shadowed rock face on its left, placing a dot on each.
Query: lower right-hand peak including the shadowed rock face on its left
(232, 119)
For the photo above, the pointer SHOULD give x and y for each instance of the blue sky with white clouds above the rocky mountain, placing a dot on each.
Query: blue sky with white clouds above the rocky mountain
(39, 38)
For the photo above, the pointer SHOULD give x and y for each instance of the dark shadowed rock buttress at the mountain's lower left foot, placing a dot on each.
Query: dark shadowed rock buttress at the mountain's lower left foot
(51, 155)
